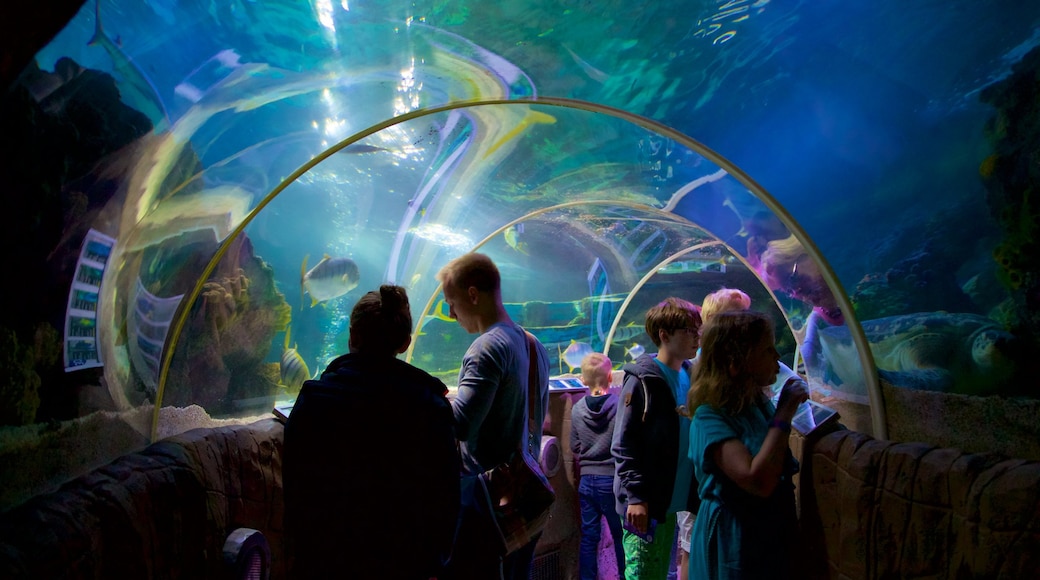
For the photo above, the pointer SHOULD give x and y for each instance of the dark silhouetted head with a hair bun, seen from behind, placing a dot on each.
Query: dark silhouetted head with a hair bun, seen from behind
(381, 323)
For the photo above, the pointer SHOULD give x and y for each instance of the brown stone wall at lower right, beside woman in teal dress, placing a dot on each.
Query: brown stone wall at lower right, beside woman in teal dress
(880, 510)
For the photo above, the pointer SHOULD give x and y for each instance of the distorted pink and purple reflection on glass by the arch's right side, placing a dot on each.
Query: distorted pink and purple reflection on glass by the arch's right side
(787, 267)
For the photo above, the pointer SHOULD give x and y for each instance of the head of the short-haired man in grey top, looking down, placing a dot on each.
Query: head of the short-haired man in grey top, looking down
(473, 289)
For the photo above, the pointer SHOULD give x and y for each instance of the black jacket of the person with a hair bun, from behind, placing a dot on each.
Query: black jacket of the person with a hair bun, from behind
(371, 465)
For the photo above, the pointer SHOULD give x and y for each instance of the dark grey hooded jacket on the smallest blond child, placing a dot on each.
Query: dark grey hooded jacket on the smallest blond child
(592, 428)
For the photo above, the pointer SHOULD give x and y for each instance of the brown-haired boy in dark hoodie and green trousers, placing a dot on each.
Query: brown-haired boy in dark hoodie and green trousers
(653, 476)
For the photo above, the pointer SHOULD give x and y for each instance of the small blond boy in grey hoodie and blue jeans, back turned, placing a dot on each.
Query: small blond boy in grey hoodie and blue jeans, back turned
(592, 427)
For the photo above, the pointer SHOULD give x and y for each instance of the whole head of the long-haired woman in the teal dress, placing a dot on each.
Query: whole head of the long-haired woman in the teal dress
(739, 358)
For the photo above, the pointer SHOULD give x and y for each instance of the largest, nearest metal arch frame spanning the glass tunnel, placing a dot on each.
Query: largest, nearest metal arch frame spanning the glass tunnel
(863, 348)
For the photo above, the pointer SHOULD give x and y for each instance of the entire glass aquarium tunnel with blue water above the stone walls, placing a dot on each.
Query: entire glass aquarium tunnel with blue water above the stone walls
(206, 189)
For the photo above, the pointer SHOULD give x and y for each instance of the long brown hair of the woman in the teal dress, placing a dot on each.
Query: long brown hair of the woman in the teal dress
(726, 342)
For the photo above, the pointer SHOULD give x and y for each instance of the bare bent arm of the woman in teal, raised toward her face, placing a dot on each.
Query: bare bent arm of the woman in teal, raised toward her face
(761, 474)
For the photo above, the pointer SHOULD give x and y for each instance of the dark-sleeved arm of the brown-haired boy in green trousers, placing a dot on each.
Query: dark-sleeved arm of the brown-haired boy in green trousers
(627, 446)
